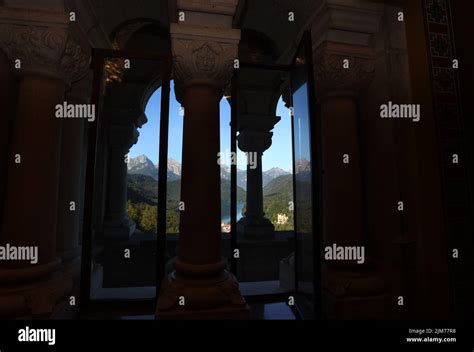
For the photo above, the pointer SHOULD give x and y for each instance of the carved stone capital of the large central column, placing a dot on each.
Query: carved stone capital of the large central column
(203, 56)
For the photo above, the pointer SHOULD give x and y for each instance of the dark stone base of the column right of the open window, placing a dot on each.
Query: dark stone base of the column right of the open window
(354, 294)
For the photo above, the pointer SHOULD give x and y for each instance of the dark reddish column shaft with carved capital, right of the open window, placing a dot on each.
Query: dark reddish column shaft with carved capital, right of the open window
(338, 91)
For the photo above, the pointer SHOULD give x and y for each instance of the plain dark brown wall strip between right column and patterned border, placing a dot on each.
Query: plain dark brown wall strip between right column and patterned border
(434, 300)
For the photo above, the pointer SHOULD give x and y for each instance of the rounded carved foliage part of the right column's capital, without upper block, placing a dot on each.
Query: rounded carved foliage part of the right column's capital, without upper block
(342, 70)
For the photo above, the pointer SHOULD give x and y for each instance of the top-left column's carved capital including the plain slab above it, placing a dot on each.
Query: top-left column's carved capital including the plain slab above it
(45, 42)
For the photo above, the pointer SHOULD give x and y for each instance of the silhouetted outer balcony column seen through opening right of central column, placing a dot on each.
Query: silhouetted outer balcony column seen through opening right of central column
(255, 137)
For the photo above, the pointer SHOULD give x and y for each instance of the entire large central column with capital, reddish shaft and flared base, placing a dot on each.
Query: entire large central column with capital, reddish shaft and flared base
(200, 287)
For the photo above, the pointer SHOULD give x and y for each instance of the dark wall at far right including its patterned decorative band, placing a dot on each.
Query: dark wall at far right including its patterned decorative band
(434, 86)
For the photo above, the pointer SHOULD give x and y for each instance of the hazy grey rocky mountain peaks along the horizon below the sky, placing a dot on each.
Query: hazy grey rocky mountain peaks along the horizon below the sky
(142, 165)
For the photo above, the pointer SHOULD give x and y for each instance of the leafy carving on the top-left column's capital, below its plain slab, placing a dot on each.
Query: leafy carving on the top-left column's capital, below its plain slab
(50, 51)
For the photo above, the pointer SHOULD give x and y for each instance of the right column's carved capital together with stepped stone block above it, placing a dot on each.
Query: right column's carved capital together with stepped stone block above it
(340, 32)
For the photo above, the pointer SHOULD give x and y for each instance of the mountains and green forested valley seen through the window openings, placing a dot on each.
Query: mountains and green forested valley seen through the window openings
(142, 189)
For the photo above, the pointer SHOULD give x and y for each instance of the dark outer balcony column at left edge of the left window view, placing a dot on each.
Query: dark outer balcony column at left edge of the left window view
(117, 225)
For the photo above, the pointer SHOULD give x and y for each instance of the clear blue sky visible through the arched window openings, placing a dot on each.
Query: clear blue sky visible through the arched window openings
(279, 154)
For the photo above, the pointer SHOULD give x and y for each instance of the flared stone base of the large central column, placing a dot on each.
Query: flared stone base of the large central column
(201, 292)
